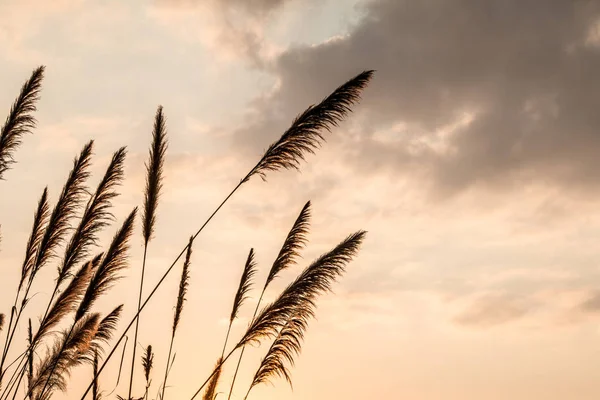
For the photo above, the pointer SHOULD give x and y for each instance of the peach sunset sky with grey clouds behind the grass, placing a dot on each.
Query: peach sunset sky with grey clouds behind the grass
(471, 160)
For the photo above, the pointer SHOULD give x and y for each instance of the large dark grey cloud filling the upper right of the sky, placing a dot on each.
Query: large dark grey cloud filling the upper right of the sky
(521, 66)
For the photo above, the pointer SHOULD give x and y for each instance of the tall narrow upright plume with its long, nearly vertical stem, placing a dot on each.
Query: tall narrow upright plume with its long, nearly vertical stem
(154, 176)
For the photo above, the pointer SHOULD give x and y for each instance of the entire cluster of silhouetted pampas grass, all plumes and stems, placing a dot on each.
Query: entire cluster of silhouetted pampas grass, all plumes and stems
(70, 334)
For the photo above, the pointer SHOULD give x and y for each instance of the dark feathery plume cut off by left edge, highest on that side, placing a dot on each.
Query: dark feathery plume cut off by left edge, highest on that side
(20, 120)
